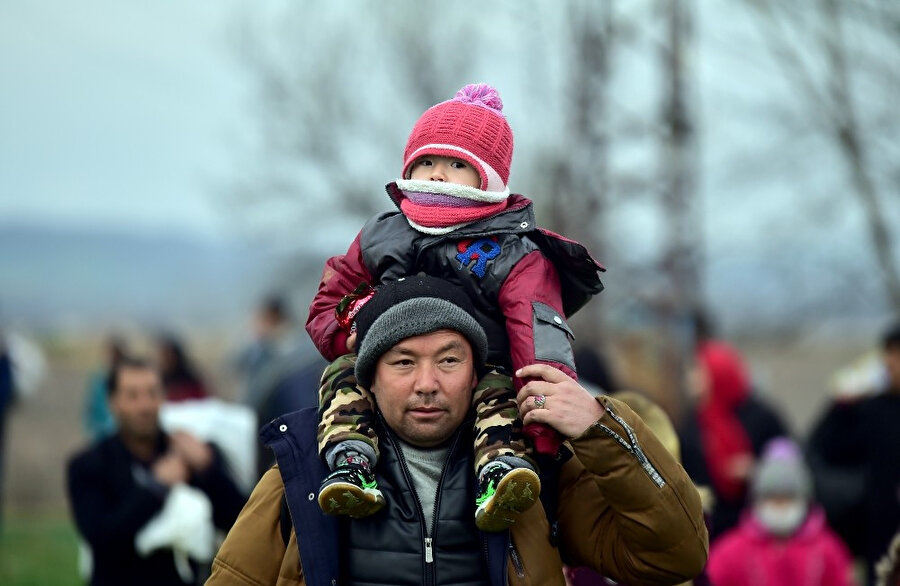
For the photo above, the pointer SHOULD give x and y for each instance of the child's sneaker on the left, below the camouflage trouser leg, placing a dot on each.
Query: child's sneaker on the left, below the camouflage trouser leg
(350, 490)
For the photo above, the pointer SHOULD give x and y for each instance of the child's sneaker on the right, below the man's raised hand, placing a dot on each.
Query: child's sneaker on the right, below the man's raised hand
(504, 493)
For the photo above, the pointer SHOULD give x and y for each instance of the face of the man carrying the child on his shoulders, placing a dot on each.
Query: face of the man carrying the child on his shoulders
(423, 386)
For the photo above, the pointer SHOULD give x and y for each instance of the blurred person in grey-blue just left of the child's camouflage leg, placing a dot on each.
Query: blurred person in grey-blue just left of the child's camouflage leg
(279, 367)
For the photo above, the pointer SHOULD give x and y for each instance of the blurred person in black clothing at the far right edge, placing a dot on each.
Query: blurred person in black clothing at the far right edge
(858, 439)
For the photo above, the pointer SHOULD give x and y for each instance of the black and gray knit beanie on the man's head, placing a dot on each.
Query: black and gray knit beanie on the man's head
(413, 306)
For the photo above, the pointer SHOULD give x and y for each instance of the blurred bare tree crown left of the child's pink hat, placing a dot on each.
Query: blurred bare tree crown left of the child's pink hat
(328, 125)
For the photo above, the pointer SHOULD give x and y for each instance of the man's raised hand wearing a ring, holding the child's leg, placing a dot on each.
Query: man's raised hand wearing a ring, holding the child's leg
(566, 406)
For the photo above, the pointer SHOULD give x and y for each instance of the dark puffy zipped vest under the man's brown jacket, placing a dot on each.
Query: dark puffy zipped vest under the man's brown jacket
(390, 547)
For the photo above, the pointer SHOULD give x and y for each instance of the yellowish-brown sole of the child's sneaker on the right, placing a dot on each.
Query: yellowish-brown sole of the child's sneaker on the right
(515, 493)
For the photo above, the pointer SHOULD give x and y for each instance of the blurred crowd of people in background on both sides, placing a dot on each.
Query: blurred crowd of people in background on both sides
(171, 463)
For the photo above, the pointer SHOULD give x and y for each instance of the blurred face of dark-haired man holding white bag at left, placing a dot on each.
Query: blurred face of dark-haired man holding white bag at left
(136, 401)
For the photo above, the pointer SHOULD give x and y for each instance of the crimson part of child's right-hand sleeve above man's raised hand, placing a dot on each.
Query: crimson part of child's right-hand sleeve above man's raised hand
(534, 278)
